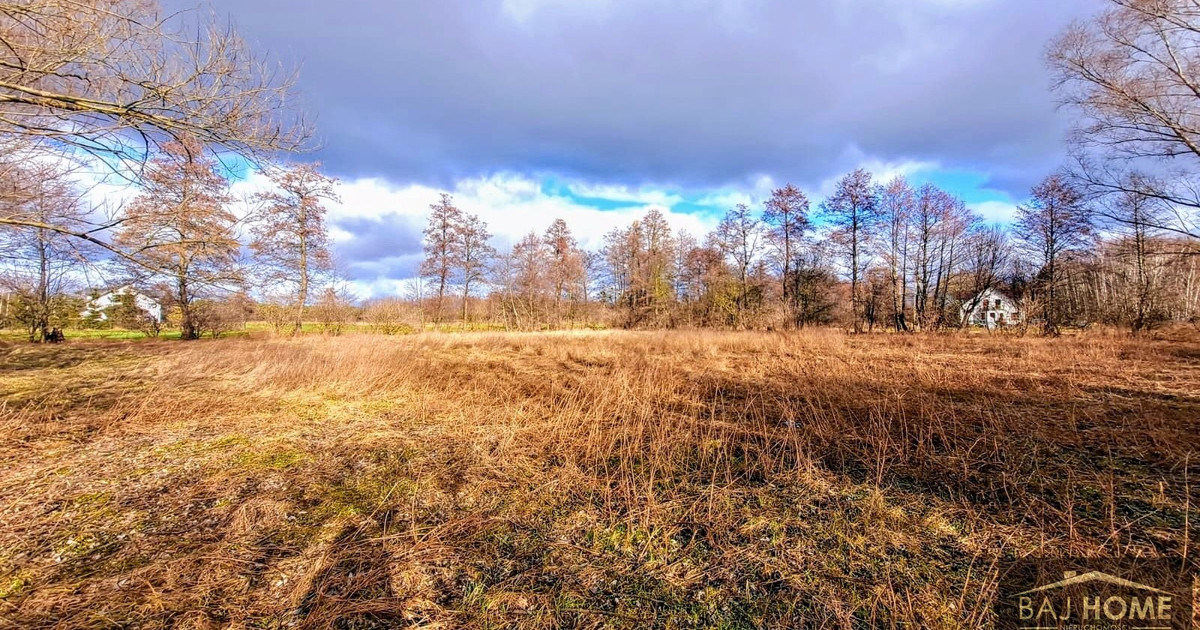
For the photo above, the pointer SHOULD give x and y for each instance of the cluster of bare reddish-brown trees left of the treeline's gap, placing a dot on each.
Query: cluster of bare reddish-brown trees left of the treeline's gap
(183, 239)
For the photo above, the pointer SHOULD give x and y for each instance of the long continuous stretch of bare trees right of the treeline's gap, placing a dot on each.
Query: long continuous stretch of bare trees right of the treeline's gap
(871, 256)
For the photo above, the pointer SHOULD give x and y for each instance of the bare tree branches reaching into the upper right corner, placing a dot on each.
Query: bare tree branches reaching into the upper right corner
(1131, 75)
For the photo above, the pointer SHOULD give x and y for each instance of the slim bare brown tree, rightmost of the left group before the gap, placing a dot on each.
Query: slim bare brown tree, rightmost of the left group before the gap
(290, 237)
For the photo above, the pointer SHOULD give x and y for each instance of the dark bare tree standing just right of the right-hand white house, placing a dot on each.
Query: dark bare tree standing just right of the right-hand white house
(1054, 224)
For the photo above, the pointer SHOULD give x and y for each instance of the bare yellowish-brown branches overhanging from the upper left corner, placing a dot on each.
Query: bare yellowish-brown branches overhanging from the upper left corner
(121, 81)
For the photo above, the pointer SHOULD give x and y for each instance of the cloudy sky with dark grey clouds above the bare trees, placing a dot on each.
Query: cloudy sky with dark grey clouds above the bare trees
(597, 110)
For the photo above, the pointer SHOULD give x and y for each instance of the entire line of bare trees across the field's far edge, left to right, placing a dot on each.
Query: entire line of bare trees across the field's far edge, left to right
(871, 256)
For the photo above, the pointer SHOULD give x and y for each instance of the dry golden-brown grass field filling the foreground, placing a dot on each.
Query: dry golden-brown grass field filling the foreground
(580, 481)
